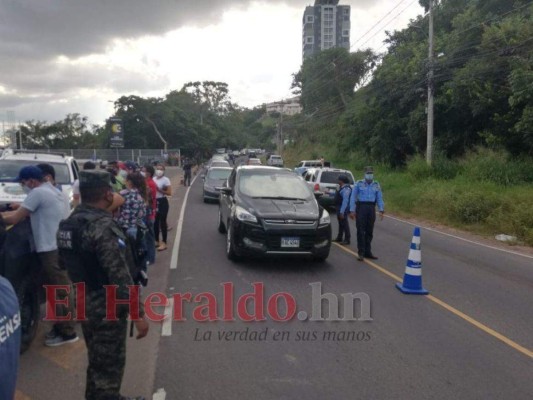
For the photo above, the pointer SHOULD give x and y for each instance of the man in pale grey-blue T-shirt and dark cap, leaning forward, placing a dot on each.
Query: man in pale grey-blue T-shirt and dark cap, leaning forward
(46, 208)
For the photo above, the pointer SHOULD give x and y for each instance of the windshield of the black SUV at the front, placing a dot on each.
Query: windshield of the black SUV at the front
(271, 184)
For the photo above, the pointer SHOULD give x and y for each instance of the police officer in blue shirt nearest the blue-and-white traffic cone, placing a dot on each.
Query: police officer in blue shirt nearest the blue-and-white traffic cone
(366, 194)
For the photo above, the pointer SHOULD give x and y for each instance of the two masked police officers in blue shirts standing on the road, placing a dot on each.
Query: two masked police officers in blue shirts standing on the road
(359, 203)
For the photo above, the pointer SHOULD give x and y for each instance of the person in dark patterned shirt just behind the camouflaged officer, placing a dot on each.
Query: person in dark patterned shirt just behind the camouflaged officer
(133, 211)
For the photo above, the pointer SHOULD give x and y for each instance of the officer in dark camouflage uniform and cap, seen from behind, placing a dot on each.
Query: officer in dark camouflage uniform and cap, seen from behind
(93, 249)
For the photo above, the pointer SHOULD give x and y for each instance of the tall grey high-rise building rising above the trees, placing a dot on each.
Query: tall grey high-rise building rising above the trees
(325, 25)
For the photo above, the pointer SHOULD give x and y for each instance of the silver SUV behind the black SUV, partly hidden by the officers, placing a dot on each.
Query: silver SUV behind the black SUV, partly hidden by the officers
(325, 180)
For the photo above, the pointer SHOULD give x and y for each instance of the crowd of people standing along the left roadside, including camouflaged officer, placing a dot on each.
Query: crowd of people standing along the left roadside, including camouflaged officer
(90, 245)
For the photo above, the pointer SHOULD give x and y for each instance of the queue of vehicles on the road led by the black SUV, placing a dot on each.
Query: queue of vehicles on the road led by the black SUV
(273, 211)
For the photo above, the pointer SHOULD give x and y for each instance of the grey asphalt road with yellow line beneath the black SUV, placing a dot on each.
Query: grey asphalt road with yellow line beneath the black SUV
(414, 348)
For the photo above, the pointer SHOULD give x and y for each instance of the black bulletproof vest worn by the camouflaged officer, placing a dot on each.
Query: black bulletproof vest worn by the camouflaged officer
(82, 265)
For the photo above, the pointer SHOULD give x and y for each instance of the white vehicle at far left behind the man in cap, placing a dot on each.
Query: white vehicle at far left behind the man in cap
(12, 161)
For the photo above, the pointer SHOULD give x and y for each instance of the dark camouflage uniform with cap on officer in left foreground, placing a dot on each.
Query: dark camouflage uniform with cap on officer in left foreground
(102, 239)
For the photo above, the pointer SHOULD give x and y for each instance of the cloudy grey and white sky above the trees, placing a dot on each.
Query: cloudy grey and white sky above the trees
(65, 56)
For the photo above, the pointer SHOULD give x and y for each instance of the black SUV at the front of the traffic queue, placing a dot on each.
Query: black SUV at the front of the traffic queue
(271, 211)
